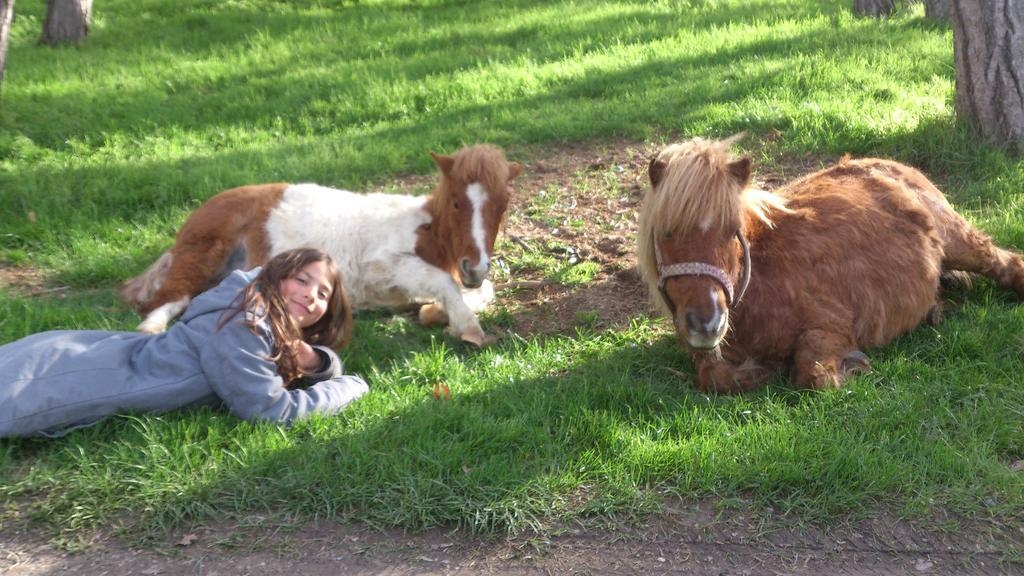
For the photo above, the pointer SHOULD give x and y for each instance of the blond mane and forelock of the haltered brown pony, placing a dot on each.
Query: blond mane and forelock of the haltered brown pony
(697, 191)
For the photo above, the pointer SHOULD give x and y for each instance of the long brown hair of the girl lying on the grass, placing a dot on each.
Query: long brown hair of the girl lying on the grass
(263, 300)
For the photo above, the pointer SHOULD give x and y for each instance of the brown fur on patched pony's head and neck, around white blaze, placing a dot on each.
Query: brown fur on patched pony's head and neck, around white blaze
(445, 240)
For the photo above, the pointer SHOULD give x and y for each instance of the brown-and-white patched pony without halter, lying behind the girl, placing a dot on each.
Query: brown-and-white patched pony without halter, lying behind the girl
(393, 251)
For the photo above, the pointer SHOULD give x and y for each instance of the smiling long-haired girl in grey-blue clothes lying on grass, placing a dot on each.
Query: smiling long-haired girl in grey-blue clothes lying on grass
(260, 343)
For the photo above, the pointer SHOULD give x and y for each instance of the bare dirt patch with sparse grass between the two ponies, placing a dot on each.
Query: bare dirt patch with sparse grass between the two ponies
(591, 217)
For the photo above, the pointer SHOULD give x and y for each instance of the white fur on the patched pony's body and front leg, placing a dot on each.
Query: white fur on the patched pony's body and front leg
(372, 238)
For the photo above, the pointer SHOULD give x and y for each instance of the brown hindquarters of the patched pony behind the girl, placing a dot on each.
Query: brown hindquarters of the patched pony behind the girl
(205, 243)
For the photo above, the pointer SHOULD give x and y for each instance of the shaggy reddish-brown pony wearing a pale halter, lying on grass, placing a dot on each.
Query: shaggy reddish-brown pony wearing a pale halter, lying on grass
(838, 262)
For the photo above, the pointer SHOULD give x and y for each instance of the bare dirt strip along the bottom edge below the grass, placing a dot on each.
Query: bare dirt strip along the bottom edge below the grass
(687, 539)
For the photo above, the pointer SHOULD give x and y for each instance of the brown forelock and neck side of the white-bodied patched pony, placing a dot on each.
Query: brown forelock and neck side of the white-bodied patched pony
(481, 163)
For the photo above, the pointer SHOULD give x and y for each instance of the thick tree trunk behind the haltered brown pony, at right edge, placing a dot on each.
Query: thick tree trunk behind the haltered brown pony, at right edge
(989, 52)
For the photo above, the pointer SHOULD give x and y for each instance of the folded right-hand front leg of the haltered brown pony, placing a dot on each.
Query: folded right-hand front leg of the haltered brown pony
(826, 360)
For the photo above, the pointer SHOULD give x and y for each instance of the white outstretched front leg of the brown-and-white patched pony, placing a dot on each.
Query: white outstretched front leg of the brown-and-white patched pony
(419, 279)
